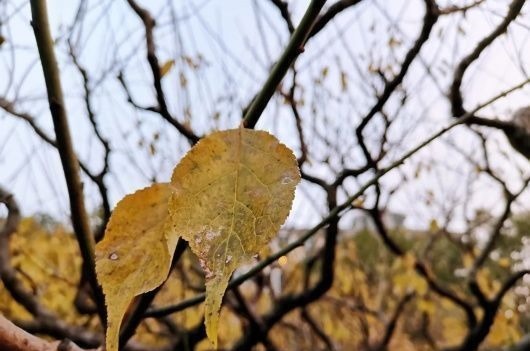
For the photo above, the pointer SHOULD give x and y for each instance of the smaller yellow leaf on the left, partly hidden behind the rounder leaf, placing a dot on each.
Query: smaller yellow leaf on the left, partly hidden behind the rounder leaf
(134, 256)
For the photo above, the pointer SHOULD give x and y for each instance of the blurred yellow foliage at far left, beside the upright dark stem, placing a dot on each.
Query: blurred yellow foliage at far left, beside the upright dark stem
(48, 263)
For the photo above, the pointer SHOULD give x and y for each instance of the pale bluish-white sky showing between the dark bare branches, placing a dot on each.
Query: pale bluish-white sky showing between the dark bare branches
(236, 48)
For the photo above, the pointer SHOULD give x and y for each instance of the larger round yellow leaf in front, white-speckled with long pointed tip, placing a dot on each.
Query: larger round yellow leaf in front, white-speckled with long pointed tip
(232, 192)
